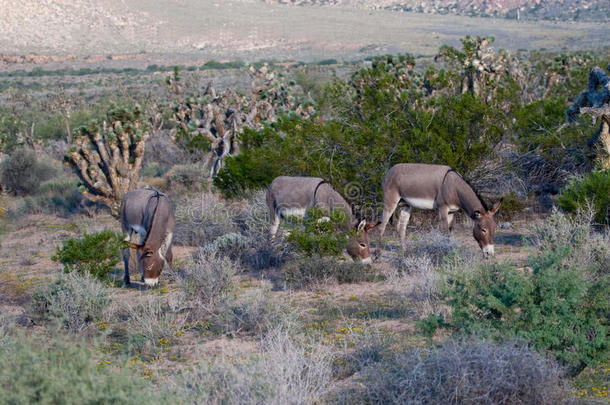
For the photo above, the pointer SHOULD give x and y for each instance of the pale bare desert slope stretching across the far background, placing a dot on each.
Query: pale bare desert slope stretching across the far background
(112, 31)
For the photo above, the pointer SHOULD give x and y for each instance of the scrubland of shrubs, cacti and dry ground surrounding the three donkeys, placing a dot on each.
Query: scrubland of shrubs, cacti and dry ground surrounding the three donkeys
(243, 318)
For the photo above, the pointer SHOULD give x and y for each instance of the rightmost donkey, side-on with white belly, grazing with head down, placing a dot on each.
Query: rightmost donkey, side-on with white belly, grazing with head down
(426, 186)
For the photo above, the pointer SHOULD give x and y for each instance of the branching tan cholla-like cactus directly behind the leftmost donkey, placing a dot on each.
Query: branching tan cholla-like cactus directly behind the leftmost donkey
(107, 158)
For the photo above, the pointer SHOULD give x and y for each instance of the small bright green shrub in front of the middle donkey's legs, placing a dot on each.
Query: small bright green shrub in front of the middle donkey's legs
(319, 235)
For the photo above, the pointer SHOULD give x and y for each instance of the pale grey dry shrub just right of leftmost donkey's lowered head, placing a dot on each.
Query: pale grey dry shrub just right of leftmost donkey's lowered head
(209, 279)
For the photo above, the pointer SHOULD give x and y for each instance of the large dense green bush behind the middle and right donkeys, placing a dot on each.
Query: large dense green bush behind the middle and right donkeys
(360, 144)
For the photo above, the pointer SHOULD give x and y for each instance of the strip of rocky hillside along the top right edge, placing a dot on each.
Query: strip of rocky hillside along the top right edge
(563, 10)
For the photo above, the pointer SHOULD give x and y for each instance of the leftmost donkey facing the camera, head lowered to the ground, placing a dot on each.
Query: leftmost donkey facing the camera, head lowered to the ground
(148, 220)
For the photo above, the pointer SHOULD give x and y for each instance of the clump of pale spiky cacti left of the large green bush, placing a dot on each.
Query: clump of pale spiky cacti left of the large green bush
(213, 122)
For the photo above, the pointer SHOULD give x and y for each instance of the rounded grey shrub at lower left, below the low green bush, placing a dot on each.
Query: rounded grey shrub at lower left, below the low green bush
(75, 300)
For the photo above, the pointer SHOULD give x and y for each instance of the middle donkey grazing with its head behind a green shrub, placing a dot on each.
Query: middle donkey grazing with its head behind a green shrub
(293, 196)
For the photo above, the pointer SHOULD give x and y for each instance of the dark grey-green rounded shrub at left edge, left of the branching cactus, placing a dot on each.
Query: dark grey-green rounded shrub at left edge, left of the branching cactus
(21, 172)
